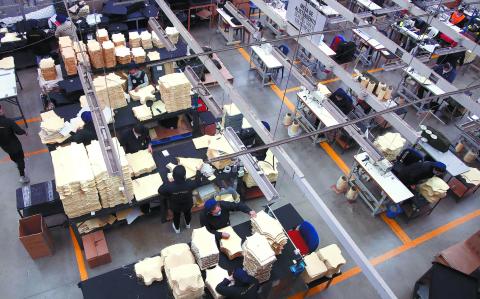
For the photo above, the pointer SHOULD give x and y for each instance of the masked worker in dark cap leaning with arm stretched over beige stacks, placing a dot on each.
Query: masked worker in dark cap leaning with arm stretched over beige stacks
(216, 215)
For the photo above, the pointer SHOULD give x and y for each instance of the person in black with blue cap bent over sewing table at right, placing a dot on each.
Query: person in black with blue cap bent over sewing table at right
(412, 174)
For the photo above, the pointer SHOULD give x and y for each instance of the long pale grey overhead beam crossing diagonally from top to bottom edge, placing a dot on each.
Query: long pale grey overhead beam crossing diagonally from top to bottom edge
(291, 170)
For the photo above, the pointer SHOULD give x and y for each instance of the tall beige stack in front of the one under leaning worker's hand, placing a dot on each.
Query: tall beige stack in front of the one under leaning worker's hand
(258, 257)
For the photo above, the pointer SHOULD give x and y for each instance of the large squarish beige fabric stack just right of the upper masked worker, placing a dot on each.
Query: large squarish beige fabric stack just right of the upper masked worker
(175, 91)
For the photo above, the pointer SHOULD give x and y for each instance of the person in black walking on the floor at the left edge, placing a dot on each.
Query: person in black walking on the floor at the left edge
(11, 145)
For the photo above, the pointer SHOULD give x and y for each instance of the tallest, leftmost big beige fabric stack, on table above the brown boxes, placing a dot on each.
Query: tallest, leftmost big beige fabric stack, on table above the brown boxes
(75, 180)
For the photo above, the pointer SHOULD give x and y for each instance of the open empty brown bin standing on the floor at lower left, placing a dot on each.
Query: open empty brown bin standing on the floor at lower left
(35, 237)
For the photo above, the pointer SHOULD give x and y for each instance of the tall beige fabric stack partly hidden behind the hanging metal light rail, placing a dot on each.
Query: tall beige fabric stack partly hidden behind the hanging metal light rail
(109, 186)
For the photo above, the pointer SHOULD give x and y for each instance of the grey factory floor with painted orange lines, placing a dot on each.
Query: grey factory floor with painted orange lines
(400, 250)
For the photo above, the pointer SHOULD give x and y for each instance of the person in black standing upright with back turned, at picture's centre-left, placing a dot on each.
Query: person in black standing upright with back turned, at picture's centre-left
(179, 195)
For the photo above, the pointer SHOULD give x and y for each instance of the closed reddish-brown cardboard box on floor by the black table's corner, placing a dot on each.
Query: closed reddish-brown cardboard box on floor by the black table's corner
(96, 249)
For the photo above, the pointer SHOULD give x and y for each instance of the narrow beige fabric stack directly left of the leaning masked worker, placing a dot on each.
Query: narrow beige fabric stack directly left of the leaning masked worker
(204, 248)
